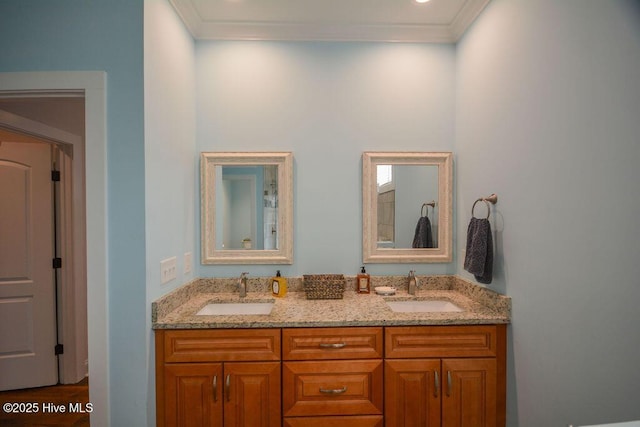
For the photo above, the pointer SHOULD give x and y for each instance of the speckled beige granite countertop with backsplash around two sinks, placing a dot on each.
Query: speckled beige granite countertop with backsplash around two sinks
(178, 309)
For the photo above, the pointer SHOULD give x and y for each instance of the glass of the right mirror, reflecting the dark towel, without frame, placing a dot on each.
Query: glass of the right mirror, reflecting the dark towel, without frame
(407, 205)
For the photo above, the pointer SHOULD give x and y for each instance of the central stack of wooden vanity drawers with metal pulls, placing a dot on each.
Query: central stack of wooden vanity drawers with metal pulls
(333, 377)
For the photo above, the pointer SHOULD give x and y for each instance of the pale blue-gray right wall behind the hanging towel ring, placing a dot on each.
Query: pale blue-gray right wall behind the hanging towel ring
(547, 117)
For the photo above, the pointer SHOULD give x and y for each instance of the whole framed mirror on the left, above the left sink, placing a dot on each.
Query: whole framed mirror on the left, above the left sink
(246, 208)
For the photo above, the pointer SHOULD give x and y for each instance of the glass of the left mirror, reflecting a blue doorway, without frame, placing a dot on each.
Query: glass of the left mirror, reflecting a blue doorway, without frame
(248, 203)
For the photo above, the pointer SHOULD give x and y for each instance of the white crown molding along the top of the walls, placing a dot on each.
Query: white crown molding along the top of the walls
(327, 31)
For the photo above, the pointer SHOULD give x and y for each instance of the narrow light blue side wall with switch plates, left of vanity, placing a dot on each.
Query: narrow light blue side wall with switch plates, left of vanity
(170, 160)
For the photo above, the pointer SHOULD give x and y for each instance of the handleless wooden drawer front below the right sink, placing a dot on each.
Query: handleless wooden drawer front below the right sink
(441, 341)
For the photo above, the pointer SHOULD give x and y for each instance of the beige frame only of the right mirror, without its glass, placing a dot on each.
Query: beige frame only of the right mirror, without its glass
(371, 253)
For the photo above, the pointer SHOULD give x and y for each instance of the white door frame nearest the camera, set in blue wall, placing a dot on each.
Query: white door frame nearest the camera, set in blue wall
(93, 84)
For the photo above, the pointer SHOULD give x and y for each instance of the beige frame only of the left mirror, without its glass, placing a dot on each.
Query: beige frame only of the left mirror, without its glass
(210, 254)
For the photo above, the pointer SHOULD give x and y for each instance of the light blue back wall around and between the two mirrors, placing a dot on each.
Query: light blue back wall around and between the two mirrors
(327, 103)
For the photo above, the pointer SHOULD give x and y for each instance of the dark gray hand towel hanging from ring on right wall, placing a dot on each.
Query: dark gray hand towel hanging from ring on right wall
(479, 258)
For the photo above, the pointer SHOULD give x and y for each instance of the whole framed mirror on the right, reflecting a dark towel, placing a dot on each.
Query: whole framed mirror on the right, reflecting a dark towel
(407, 207)
